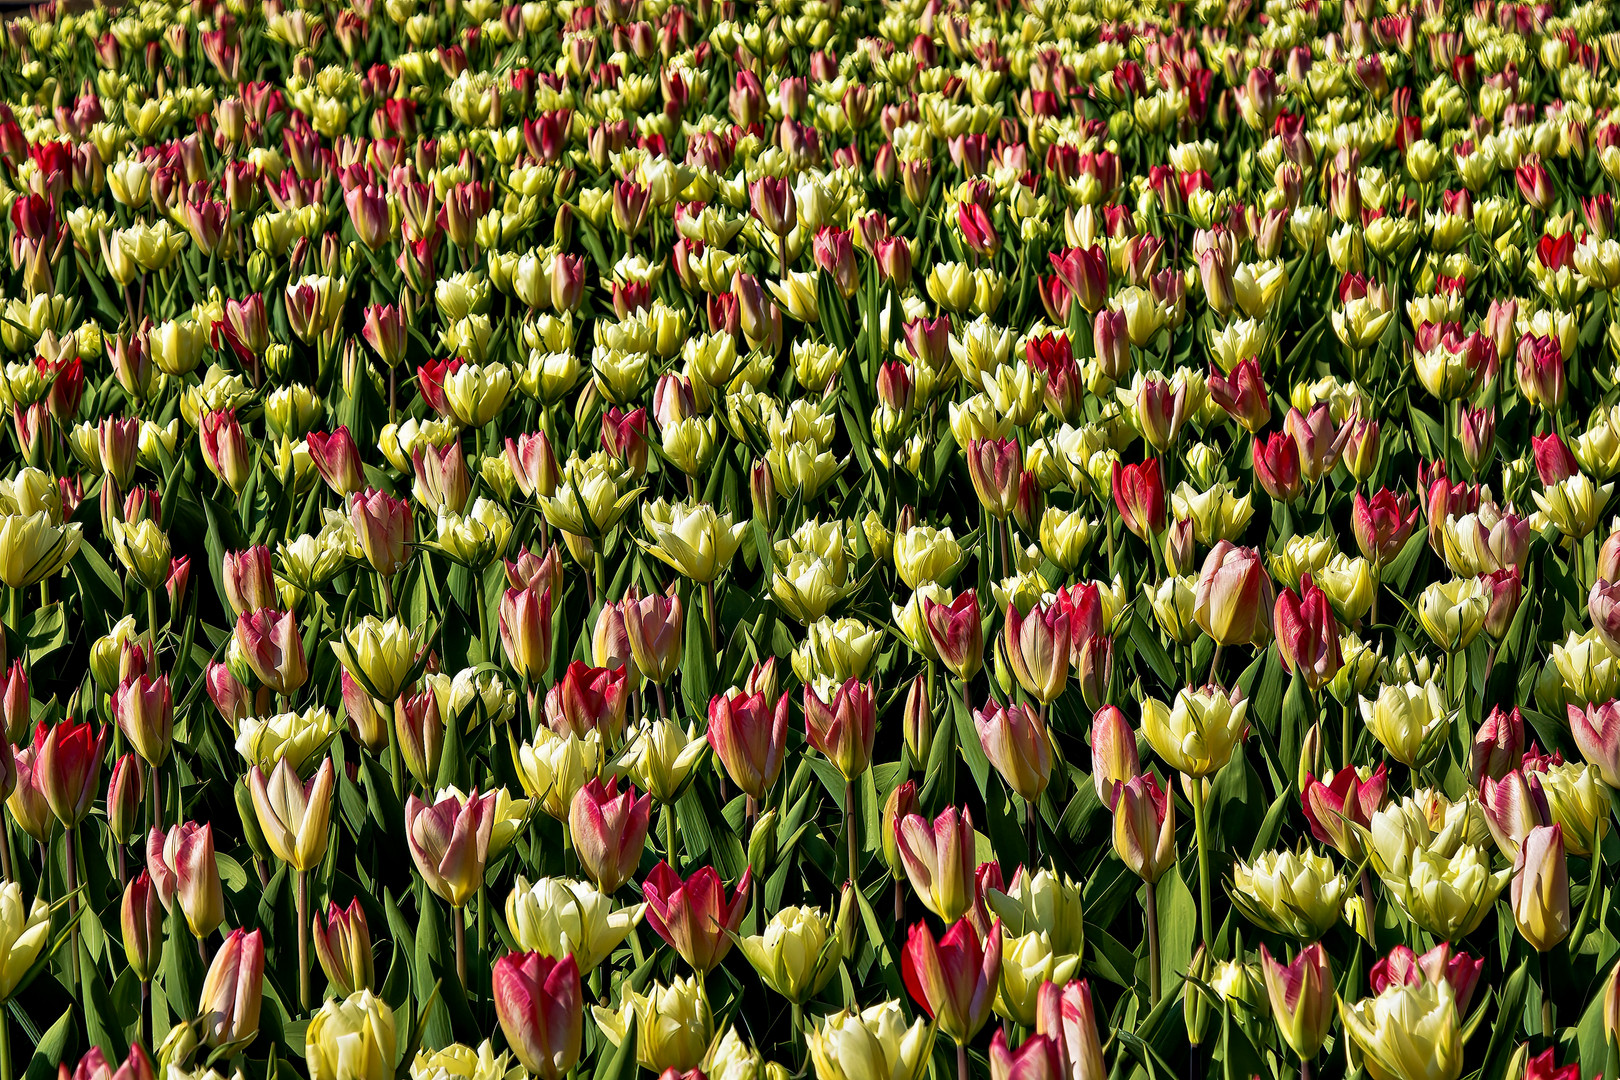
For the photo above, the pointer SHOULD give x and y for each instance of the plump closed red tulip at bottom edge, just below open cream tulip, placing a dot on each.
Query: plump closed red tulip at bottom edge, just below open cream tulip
(540, 1006)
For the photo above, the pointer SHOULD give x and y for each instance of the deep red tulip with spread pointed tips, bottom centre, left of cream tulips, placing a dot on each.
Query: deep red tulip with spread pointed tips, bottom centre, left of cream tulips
(955, 979)
